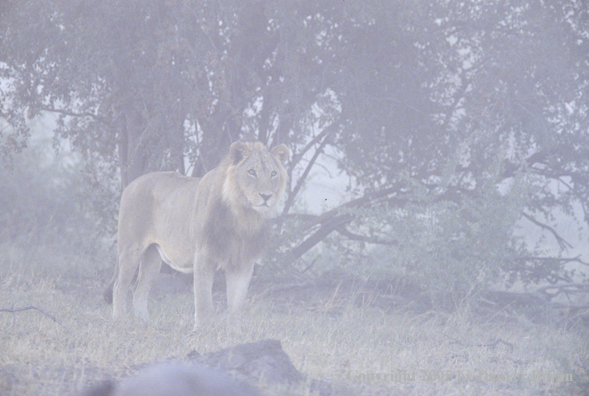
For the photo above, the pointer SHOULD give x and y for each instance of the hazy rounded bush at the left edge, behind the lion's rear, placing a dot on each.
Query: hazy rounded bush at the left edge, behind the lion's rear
(45, 218)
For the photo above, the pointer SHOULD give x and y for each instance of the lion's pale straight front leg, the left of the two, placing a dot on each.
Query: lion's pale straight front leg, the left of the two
(204, 274)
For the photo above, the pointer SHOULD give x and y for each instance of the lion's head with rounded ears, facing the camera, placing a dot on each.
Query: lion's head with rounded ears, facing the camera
(255, 176)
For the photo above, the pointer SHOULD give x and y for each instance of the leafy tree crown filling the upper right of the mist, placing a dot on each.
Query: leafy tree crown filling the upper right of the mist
(498, 86)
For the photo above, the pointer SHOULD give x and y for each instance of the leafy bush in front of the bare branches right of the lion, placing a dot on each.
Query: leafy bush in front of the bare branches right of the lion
(454, 250)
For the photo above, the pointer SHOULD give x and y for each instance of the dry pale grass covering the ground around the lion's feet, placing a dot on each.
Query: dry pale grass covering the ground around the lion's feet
(360, 349)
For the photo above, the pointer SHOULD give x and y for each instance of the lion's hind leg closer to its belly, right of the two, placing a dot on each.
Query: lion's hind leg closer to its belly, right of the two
(149, 269)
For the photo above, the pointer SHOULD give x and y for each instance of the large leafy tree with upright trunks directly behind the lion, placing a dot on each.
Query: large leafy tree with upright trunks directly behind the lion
(142, 86)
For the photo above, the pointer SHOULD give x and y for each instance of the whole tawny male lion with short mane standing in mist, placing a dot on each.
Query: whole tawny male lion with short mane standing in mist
(198, 225)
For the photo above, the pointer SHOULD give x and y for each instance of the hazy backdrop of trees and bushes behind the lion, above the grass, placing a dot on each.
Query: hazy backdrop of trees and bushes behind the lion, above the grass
(442, 143)
